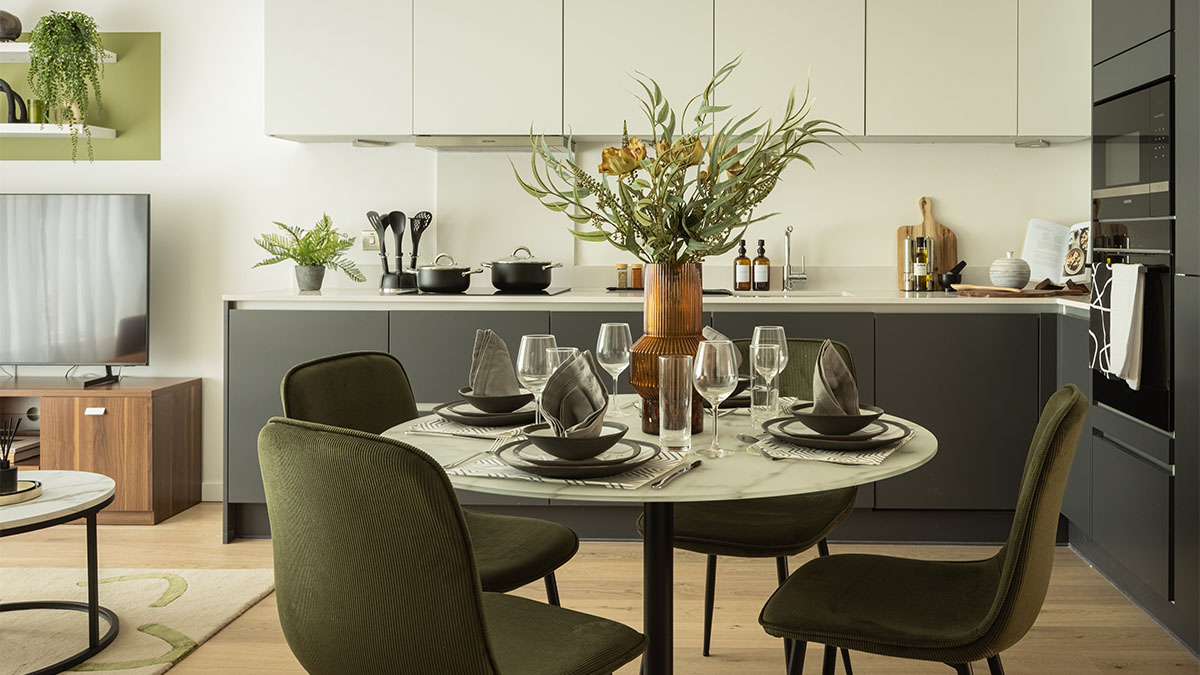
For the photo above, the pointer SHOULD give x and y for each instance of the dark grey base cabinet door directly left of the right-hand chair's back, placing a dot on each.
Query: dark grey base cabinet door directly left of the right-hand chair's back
(974, 381)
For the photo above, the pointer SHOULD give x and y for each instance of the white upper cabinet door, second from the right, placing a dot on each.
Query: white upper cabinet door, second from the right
(941, 68)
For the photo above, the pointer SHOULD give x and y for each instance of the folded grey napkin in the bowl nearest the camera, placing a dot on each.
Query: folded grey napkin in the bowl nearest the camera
(575, 401)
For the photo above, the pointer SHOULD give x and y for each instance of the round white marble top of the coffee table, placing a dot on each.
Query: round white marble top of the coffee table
(63, 494)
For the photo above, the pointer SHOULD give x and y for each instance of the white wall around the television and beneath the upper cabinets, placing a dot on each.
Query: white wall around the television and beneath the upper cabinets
(221, 182)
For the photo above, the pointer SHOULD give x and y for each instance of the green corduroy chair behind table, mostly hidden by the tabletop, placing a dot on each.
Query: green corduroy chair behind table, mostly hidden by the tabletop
(770, 528)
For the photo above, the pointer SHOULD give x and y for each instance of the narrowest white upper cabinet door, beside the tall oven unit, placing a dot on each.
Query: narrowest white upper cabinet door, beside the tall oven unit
(1055, 69)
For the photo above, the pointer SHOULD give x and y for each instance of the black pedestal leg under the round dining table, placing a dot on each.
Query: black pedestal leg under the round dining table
(658, 588)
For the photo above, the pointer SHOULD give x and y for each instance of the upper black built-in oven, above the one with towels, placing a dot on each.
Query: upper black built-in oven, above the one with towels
(1132, 154)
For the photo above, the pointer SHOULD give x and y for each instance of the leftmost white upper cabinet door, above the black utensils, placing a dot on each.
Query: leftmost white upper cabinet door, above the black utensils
(339, 70)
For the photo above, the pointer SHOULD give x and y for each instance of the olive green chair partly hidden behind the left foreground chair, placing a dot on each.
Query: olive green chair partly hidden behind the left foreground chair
(370, 392)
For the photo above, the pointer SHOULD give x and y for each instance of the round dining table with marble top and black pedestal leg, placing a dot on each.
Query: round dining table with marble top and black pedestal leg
(747, 475)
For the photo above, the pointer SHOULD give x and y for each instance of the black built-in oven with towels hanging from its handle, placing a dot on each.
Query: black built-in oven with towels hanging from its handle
(1147, 242)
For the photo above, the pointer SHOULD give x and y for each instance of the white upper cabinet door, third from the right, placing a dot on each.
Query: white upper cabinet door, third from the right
(787, 44)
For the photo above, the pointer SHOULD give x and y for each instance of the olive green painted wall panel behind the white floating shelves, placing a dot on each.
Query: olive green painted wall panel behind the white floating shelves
(133, 89)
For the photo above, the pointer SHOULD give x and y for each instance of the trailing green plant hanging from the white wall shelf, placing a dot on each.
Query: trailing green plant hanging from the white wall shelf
(65, 58)
